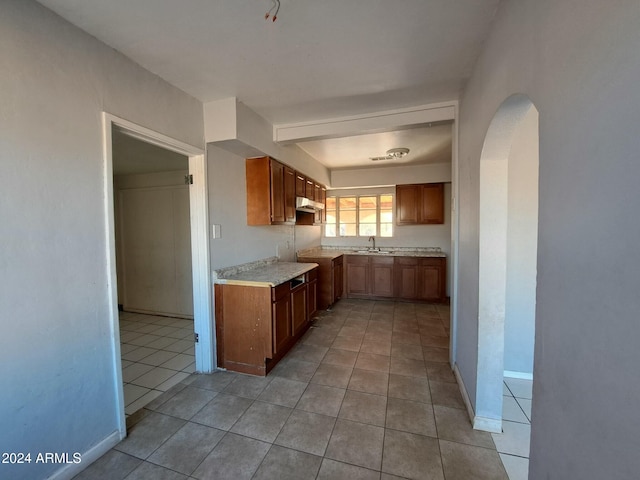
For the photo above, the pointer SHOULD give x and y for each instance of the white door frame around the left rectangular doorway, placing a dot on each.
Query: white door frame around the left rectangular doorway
(200, 256)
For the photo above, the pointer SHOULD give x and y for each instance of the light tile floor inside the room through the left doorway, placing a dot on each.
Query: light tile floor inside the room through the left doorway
(157, 354)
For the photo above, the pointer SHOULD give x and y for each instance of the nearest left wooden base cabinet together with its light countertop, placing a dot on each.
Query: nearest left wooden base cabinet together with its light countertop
(262, 309)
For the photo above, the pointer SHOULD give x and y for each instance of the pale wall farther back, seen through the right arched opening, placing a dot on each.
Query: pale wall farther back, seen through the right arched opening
(522, 247)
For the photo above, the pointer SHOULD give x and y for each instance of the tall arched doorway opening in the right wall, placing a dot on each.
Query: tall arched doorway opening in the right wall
(507, 254)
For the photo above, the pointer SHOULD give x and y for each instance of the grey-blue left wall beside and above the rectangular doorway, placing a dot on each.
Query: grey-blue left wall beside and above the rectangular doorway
(57, 347)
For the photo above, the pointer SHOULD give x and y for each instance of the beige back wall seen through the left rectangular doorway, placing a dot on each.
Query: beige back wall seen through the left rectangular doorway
(153, 243)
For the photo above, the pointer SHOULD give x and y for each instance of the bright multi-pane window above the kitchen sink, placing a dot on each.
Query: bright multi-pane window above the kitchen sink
(362, 216)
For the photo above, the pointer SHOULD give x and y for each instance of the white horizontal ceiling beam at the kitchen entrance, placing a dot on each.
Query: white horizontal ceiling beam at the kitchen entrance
(368, 123)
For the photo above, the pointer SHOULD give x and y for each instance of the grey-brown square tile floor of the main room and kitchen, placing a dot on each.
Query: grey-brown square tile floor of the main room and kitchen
(366, 394)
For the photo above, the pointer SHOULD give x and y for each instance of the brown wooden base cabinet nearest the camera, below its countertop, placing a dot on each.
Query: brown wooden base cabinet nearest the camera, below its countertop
(256, 326)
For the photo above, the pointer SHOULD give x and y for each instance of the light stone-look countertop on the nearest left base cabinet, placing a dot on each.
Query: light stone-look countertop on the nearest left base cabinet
(263, 273)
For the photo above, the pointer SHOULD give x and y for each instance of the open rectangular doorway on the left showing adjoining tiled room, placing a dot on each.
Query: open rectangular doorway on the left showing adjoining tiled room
(153, 266)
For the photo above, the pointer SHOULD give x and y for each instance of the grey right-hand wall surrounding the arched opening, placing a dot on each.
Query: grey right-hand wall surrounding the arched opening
(579, 64)
